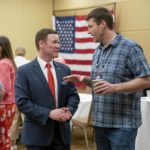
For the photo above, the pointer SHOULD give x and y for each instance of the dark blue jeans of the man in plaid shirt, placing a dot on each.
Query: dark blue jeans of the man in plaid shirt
(115, 138)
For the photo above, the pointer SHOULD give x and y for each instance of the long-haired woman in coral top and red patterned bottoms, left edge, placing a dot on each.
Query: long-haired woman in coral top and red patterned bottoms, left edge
(7, 104)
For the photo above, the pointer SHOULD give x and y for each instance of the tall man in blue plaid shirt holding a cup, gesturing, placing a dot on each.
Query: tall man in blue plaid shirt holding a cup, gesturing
(124, 71)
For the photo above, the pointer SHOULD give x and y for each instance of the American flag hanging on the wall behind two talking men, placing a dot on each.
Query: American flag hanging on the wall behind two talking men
(77, 46)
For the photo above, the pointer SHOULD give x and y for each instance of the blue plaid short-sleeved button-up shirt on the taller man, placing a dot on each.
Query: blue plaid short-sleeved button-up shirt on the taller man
(121, 61)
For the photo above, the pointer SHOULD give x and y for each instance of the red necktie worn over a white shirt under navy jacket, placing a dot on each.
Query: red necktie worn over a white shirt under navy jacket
(51, 80)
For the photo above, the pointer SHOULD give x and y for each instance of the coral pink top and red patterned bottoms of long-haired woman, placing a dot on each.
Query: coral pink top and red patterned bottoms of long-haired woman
(7, 105)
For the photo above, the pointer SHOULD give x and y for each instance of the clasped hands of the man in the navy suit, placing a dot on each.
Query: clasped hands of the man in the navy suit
(60, 114)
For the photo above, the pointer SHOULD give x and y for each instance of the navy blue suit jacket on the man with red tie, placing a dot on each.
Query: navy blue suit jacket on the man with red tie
(35, 100)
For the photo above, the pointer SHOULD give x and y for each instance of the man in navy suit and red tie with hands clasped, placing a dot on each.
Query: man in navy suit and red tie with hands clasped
(47, 112)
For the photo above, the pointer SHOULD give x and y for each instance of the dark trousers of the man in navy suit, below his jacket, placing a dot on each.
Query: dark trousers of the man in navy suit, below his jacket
(55, 145)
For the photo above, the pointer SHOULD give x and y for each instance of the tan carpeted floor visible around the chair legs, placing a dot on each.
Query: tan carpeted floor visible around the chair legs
(78, 141)
